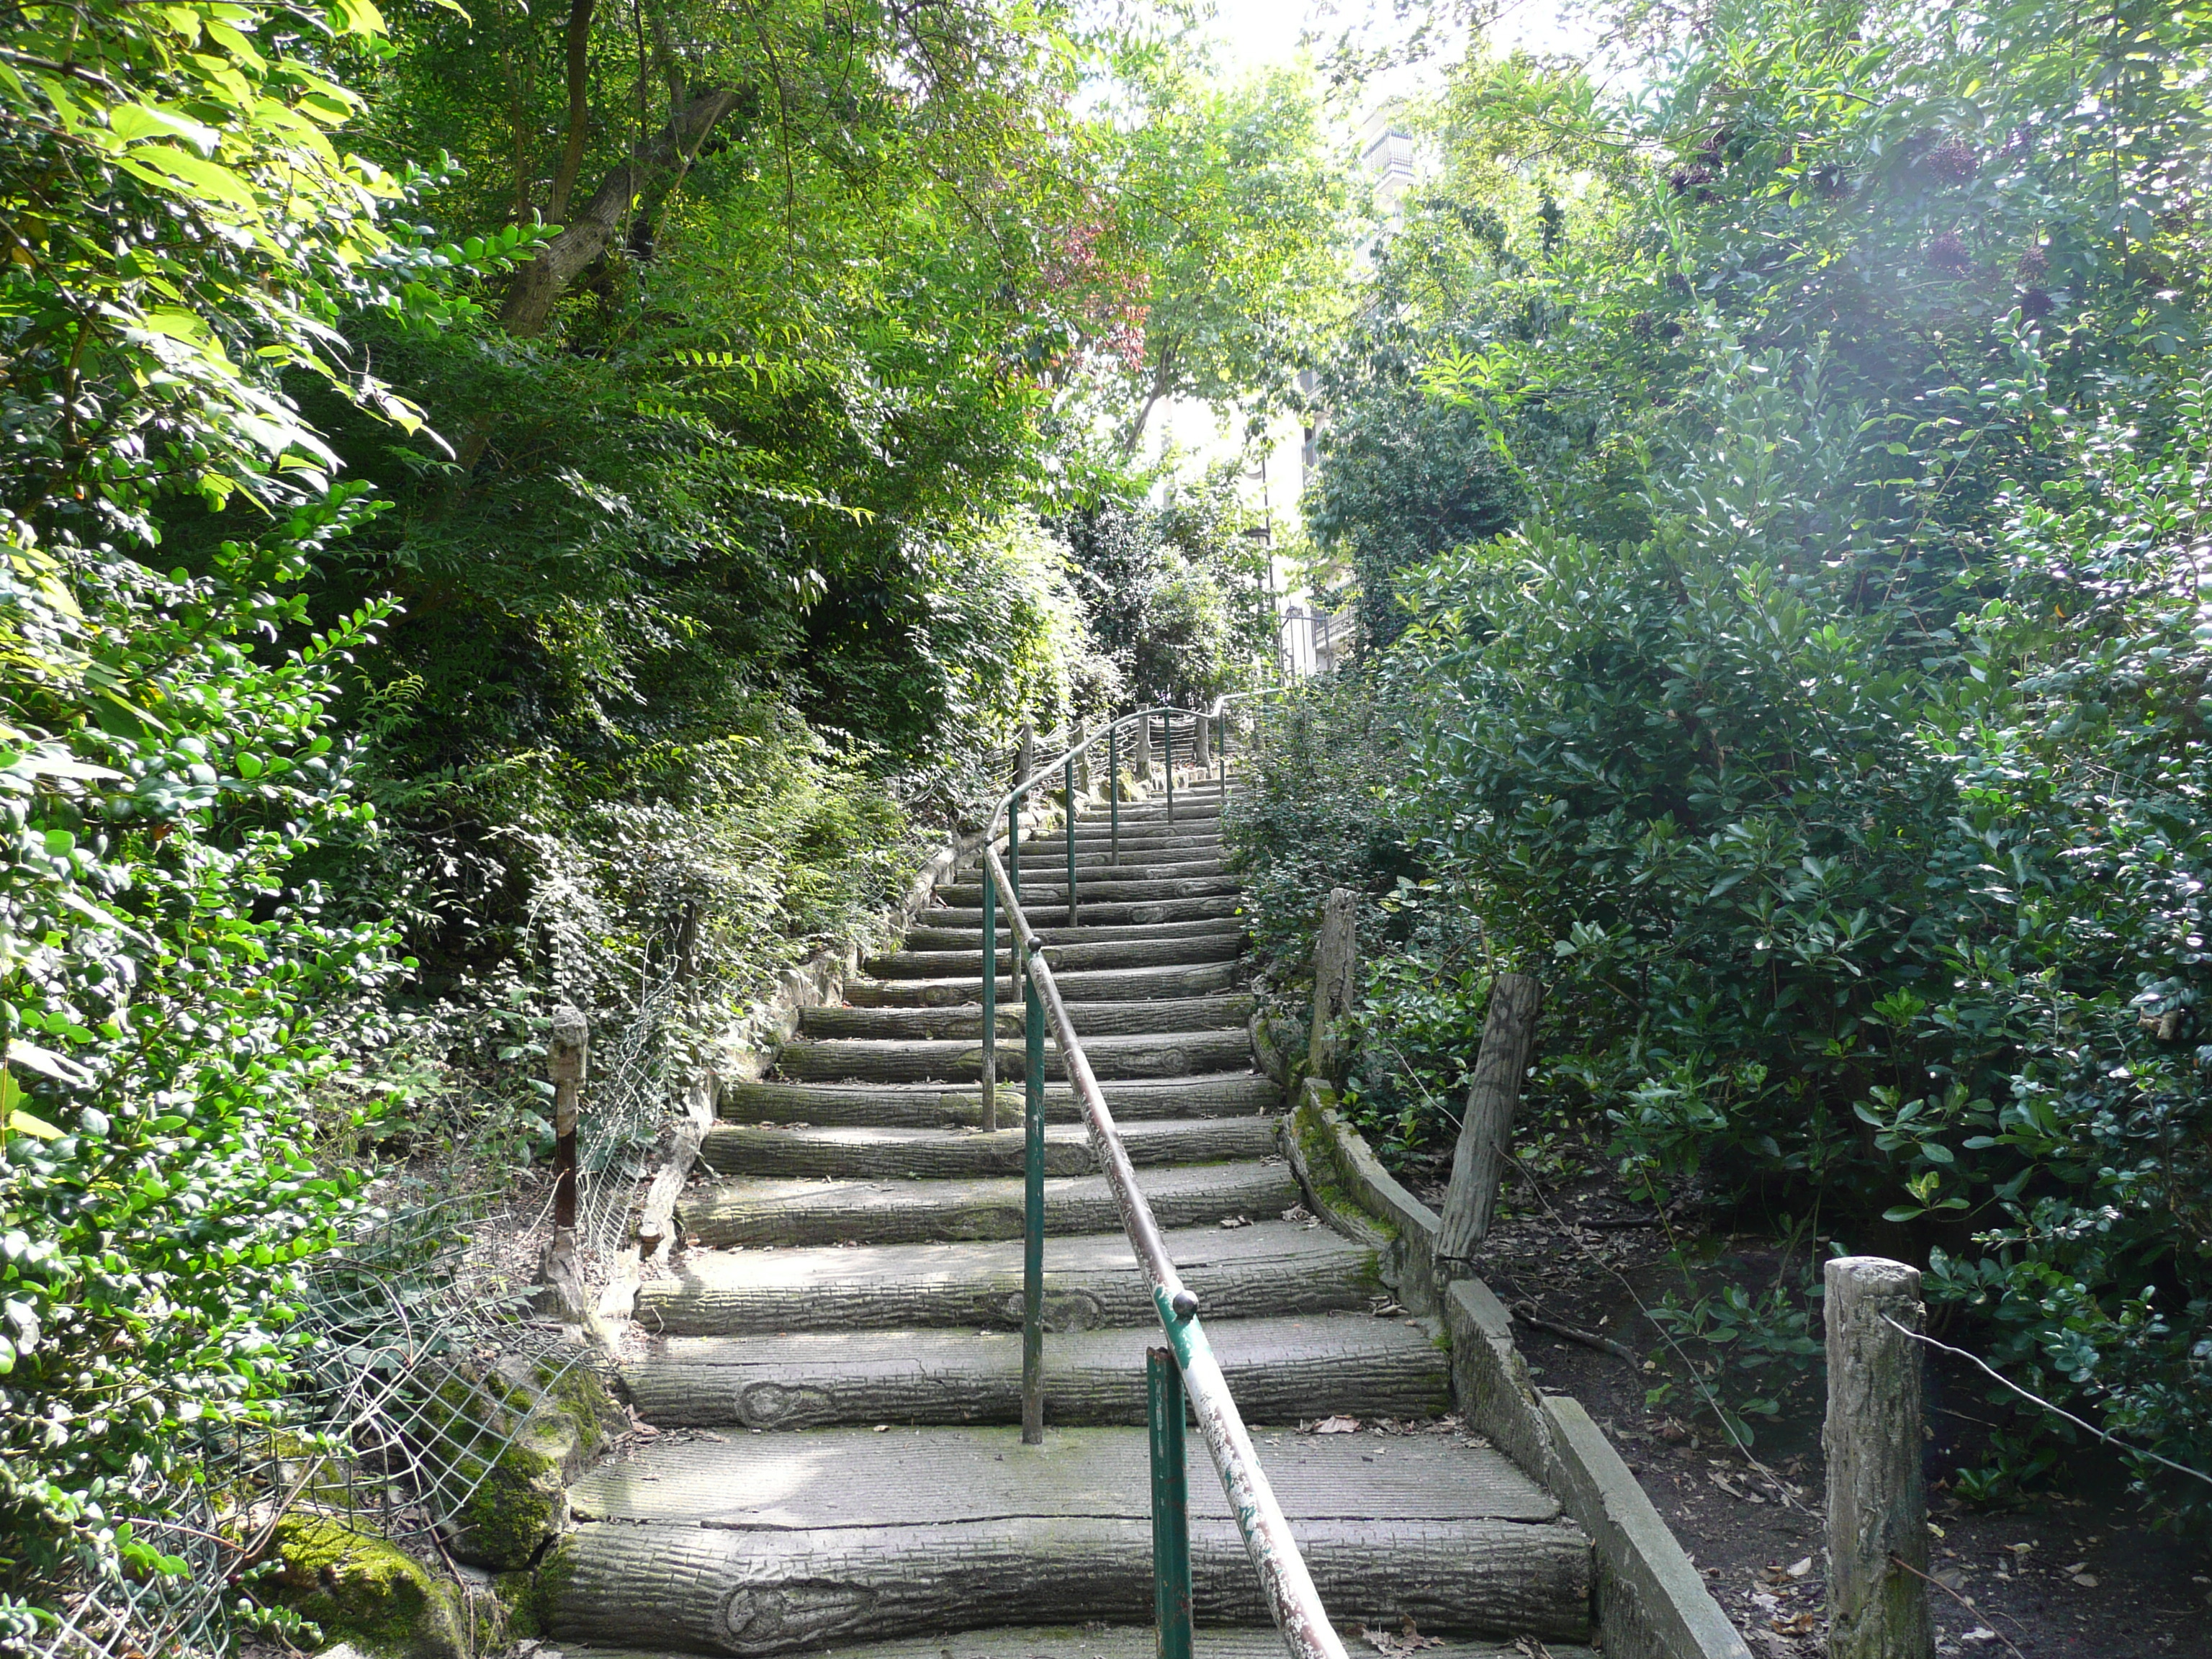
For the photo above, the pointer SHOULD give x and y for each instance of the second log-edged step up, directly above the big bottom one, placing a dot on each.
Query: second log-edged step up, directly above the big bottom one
(1282, 1370)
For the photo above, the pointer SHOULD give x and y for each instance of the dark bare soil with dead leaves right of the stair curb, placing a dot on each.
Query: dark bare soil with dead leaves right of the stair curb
(2072, 1574)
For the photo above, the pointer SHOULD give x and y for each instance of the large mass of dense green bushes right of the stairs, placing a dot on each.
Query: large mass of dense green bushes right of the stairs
(1826, 729)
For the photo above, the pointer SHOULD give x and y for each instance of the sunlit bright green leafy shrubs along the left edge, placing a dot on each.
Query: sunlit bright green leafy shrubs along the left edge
(182, 231)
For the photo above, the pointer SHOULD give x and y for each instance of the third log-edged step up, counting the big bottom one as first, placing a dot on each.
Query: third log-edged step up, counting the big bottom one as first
(1089, 1284)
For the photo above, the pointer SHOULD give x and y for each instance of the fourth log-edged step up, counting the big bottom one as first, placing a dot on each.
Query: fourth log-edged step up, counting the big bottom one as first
(897, 1211)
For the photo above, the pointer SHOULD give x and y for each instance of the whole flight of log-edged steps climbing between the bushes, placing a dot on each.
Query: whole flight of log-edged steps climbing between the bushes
(846, 1326)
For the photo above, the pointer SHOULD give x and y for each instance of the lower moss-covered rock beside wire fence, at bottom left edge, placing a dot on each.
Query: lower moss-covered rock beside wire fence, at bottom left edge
(364, 1592)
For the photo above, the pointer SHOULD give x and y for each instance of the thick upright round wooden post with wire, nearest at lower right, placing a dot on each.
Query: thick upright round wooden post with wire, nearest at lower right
(1877, 1505)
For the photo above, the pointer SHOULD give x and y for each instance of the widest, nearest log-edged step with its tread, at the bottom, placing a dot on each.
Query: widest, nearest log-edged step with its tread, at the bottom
(782, 1543)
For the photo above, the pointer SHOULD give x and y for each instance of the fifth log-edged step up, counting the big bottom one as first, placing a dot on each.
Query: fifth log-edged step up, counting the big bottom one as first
(932, 1154)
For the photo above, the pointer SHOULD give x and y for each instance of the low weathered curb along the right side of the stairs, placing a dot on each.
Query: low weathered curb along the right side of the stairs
(1651, 1603)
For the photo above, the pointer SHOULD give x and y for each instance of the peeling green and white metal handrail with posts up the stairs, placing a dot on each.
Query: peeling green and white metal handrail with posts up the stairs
(1284, 1578)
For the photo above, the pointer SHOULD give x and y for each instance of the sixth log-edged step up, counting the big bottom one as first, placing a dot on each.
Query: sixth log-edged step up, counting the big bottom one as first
(1131, 1100)
